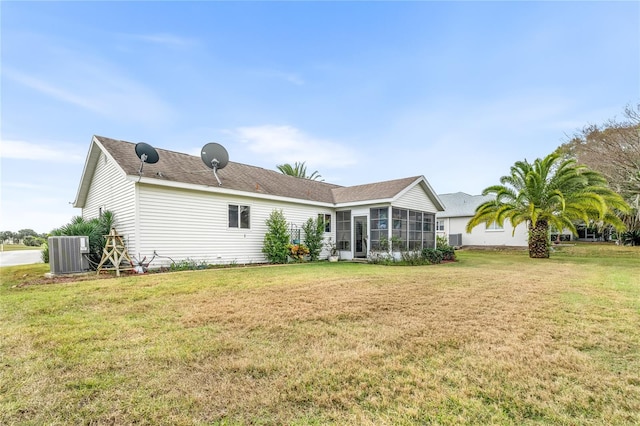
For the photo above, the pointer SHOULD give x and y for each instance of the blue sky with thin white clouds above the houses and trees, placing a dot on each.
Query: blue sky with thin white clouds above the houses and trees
(361, 91)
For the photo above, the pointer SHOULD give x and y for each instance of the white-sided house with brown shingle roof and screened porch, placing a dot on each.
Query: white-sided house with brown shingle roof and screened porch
(176, 209)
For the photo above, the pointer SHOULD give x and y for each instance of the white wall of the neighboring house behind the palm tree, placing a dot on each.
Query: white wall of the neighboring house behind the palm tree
(480, 236)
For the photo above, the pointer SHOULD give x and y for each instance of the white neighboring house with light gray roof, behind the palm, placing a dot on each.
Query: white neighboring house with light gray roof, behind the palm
(459, 208)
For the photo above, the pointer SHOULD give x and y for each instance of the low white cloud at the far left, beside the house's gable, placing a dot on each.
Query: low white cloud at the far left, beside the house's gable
(58, 153)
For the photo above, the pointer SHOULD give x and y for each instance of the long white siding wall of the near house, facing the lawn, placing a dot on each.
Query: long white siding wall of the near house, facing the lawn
(186, 224)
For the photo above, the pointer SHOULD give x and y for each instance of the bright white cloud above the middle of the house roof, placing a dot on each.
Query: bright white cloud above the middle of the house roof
(286, 144)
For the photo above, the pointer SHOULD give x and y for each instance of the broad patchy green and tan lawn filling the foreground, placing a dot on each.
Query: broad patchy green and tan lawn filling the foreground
(493, 338)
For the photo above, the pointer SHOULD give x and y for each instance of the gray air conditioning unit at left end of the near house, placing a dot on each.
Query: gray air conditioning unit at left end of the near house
(66, 254)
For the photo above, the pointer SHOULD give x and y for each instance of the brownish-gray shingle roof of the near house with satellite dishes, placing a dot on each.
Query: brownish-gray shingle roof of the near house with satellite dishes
(184, 168)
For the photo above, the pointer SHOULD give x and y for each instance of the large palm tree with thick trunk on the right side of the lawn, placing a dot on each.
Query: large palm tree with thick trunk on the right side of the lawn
(550, 192)
